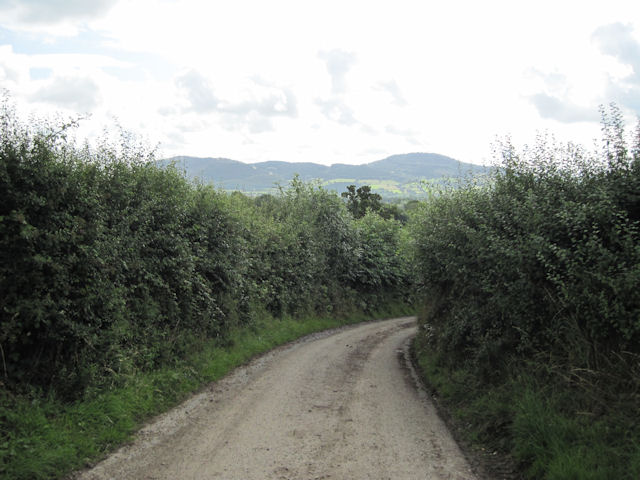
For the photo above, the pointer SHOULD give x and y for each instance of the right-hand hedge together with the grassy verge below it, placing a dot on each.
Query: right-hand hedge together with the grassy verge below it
(530, 327)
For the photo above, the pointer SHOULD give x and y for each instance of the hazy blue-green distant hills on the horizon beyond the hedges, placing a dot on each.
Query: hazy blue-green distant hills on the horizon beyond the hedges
(397, 175)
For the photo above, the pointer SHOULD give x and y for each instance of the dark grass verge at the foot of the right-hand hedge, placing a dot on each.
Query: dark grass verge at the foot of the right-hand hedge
(543, 429)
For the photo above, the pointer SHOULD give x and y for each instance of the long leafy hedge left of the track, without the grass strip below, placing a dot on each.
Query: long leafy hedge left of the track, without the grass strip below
(111, 265)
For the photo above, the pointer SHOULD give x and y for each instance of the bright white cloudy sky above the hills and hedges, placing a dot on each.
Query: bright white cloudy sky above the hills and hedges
(326, 82)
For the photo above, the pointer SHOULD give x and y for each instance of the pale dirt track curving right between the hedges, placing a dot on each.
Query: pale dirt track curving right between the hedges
(340, 406)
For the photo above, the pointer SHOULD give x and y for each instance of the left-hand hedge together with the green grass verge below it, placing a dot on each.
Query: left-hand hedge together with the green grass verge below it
(116, 276)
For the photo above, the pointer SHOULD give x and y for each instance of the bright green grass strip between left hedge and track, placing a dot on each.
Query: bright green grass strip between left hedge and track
(42, 438)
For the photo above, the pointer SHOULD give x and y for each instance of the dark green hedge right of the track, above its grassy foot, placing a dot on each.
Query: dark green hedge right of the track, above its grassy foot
(544, 258)
